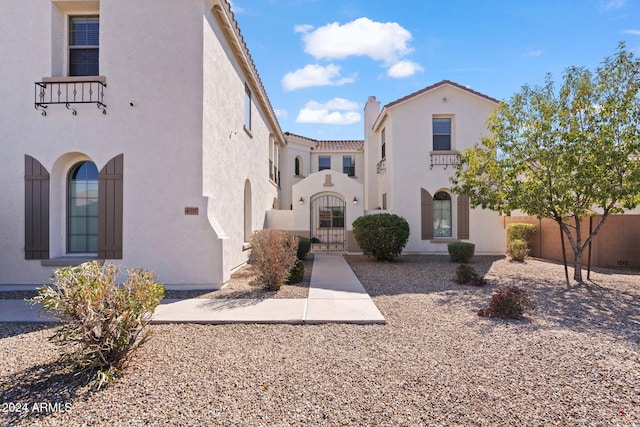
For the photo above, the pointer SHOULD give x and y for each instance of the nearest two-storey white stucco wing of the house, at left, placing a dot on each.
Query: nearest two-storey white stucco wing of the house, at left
(152, 142)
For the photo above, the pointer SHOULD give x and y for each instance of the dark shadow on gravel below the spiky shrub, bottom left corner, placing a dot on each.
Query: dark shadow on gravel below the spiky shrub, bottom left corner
(39, 392)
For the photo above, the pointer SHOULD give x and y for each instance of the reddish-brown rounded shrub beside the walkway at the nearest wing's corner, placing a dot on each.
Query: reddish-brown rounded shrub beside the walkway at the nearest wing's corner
(274, 252)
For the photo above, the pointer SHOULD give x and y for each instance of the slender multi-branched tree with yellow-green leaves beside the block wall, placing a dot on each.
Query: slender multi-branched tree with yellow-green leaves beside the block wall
(563, 154)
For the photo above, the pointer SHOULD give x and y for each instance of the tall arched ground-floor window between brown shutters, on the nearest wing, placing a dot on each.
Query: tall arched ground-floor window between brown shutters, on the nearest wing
(82, 208)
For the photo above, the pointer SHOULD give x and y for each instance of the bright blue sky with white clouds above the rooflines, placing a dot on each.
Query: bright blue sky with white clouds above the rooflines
(320, 60)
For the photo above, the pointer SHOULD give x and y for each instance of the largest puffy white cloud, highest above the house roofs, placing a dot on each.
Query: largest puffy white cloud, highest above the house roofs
(386, 42)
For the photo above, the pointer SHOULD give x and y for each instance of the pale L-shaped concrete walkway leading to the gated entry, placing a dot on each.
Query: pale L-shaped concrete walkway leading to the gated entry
(335, 296)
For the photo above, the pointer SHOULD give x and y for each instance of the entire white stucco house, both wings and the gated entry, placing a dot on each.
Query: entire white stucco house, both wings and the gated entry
(139, 133)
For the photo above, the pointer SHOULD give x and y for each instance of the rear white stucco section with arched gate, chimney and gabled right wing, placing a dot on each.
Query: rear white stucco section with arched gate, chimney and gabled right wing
(402, 166)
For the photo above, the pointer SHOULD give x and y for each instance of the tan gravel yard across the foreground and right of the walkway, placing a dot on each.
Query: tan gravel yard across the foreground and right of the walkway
(573, 361)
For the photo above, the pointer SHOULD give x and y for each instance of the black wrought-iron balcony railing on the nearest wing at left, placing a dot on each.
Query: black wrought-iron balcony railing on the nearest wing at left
(69, 91)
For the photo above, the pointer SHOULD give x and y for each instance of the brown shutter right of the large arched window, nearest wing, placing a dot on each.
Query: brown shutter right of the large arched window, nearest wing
(110, 205)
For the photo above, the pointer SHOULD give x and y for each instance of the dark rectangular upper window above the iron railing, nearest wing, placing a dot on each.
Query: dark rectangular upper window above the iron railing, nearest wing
(84, 41)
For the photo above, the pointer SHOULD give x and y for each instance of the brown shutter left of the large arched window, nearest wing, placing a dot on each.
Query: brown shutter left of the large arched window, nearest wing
(36, 209)
